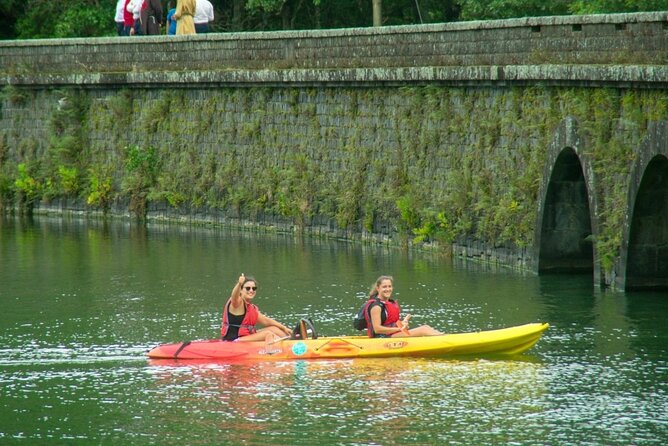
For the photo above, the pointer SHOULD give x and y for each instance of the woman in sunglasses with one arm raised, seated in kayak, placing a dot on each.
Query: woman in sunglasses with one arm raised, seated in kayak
(240, 316)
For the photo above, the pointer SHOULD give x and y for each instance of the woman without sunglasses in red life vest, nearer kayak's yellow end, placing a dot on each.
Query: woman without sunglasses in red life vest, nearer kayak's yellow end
(382, 314)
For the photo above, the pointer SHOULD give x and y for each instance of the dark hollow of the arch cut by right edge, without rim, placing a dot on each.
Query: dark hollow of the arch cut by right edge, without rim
(647, 260)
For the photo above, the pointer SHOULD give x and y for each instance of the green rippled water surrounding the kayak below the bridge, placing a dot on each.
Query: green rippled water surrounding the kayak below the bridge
(82, 303)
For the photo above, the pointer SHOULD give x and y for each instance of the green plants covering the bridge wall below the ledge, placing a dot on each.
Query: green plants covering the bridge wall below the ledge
(420, 164)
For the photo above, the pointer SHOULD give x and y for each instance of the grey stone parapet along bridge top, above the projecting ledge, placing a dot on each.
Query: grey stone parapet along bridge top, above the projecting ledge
(625, 39)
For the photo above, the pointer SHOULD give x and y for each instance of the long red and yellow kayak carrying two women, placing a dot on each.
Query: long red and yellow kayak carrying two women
(505, 342)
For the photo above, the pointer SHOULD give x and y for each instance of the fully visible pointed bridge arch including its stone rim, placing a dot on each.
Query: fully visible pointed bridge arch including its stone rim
(565, 227)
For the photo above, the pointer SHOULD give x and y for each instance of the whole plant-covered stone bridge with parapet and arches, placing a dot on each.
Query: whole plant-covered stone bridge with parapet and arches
(538, 143)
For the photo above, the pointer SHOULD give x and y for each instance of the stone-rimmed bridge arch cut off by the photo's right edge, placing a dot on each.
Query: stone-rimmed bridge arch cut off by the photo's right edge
(644, 250)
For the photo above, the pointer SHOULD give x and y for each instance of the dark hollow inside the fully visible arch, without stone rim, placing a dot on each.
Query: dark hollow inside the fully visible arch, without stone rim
(565, 239)
